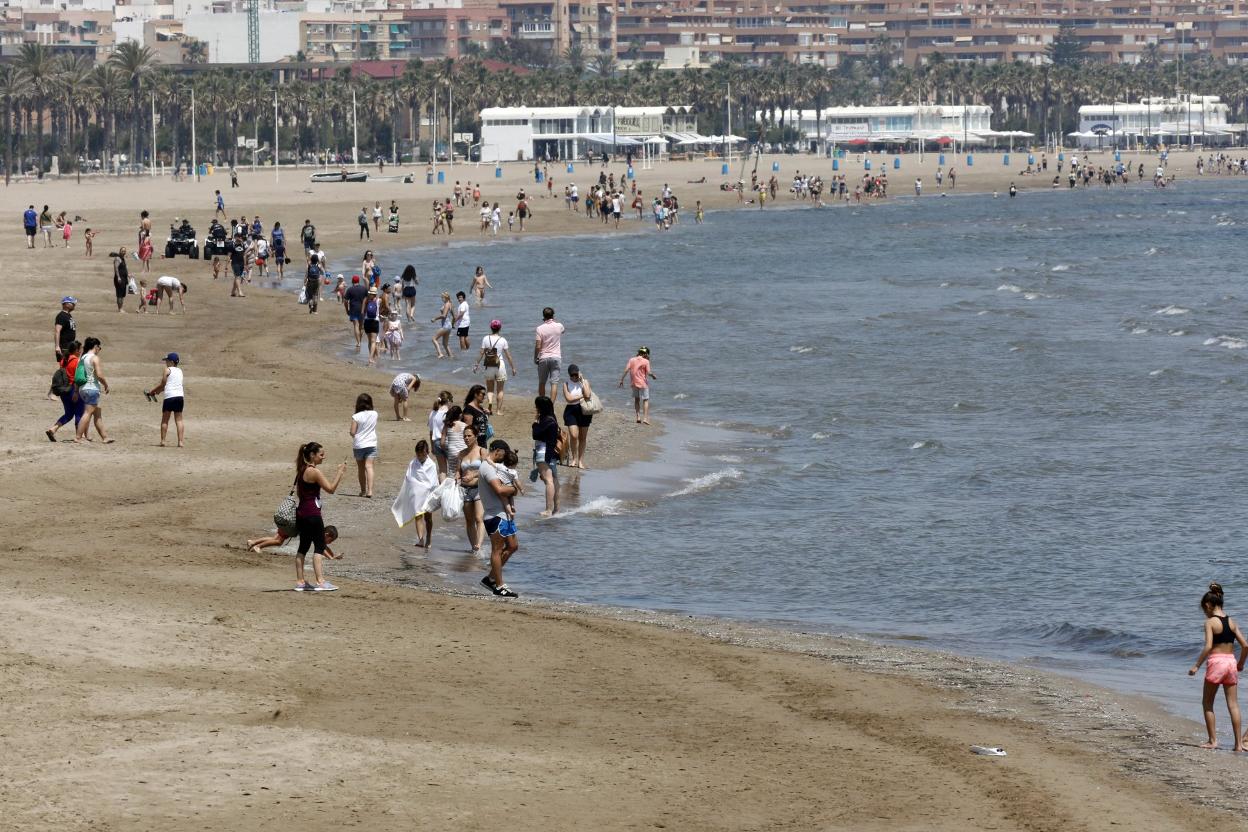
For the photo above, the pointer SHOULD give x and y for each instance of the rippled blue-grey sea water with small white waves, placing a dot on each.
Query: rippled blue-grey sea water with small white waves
(1003, 427)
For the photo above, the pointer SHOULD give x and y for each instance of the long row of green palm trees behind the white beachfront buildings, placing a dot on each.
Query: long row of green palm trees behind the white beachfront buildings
(105, 114)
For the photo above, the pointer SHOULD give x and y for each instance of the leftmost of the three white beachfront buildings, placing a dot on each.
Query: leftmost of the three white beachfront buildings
(527, 134)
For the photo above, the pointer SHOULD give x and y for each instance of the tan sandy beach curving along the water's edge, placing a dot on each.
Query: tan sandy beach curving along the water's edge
(160, 678)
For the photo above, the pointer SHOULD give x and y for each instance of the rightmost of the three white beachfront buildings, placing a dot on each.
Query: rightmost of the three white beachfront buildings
(1189, 119)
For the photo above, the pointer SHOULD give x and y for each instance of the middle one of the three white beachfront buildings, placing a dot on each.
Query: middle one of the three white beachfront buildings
(903, 123)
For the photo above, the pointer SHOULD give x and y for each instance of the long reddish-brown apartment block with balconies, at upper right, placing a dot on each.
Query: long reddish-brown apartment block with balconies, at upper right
(987, 32)
